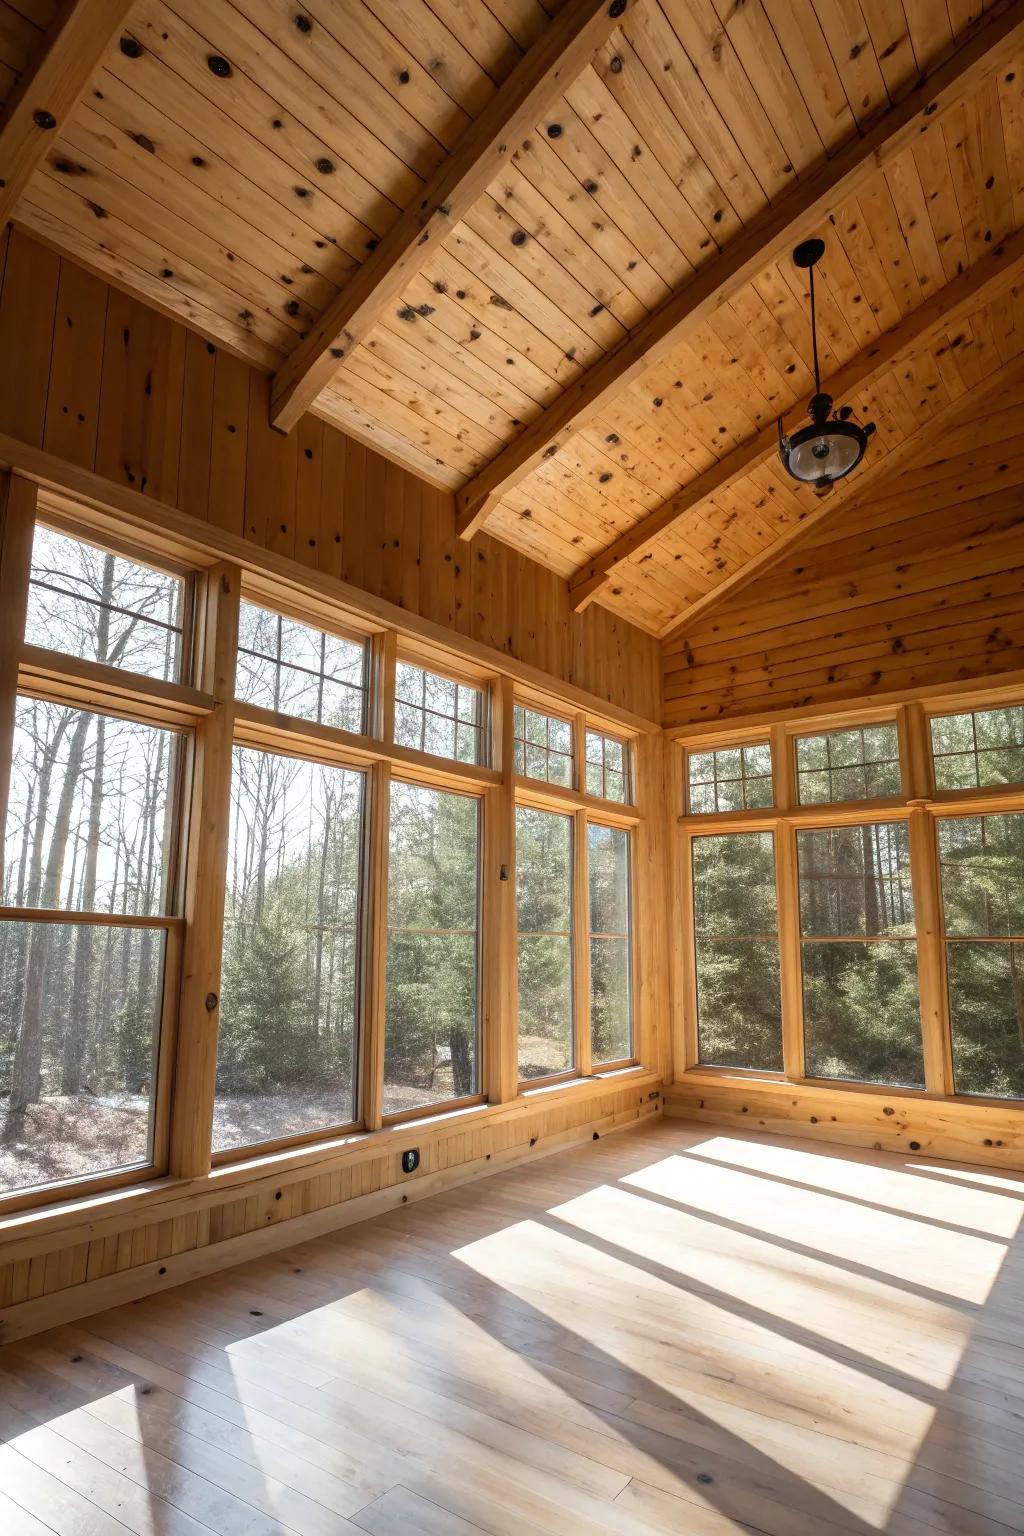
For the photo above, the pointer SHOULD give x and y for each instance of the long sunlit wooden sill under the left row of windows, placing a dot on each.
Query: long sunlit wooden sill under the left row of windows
(99, 1216)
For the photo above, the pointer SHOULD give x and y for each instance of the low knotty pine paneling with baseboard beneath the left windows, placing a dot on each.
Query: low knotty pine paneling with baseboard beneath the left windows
(47, 1282)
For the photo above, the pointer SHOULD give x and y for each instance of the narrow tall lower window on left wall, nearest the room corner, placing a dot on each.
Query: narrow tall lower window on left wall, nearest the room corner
(610, 944)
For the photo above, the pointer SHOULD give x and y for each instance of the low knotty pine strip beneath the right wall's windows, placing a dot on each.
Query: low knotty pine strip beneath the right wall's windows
(887, 1122)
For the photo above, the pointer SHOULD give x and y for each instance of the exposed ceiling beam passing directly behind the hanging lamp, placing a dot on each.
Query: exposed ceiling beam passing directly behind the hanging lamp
(991, 277)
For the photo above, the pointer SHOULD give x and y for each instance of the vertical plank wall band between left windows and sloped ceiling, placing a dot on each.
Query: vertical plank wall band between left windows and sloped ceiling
(113, 386)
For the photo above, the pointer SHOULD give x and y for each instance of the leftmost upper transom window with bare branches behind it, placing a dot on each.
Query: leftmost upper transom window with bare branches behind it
(102, 607)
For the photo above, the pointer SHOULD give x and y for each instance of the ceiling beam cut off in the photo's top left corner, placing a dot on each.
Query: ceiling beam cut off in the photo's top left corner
(48, 93)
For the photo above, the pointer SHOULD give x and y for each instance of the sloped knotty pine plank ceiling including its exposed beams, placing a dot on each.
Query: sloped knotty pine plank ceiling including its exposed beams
(543, 254)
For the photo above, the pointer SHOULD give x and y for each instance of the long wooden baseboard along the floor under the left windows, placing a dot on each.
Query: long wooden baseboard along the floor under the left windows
(94, 1296)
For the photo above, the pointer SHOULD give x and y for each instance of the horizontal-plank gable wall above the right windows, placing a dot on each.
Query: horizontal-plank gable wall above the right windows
(919, 586)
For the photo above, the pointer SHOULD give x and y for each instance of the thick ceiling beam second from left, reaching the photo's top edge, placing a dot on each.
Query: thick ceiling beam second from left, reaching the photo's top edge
(538, 81)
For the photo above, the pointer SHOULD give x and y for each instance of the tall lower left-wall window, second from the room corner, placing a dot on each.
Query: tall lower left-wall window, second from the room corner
(544, 912)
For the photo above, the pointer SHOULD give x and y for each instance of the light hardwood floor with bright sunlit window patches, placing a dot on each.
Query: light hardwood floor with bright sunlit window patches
(675, 1331)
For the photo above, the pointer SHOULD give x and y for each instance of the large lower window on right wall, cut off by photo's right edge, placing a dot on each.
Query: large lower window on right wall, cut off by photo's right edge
(982, 862)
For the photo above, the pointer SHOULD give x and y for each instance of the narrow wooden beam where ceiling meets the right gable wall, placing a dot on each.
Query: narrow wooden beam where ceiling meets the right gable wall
(899, 460)
